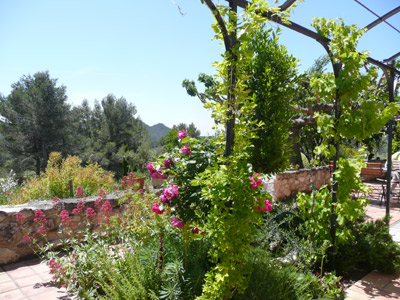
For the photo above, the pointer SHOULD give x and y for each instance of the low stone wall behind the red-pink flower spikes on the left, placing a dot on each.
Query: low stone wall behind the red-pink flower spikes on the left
(12, 244)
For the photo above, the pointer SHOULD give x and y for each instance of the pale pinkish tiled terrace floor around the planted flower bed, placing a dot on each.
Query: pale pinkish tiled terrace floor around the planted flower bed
(31, 280)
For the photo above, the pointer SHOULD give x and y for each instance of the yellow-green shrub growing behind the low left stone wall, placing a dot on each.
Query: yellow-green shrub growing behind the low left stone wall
(55, 181)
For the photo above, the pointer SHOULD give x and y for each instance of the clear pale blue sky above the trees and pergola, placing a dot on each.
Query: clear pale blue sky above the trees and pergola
(142, 50)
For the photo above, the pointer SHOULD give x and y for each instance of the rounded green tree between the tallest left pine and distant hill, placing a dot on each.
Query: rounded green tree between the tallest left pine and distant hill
(110, 135)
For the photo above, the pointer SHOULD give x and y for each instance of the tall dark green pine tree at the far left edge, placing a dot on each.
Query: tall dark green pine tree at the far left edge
(35, 123)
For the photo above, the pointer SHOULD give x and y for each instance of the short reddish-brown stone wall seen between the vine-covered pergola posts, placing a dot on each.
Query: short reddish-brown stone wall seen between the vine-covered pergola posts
(289, 183)
